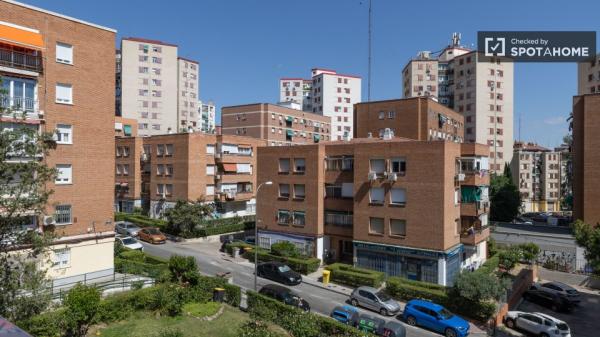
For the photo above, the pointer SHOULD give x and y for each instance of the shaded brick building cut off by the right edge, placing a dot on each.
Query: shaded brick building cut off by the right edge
(586, 158)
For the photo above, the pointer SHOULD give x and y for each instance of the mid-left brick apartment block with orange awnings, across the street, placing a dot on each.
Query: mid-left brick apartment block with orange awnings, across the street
(155, 172)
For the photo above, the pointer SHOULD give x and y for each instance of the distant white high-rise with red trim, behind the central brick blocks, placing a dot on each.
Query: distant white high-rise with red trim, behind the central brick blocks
(327, 93)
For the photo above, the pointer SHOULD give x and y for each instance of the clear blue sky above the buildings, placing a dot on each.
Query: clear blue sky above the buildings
(245, 46)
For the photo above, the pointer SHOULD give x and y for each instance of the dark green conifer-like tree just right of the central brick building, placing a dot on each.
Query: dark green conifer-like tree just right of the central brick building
(504, 197)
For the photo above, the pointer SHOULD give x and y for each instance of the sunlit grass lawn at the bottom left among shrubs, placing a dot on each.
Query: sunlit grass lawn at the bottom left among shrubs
(145, 324)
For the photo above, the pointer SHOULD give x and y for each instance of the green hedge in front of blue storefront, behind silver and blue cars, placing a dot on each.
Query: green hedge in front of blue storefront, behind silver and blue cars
(406, 290)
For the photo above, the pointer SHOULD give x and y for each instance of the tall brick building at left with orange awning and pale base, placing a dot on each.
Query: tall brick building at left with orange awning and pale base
(59, 72)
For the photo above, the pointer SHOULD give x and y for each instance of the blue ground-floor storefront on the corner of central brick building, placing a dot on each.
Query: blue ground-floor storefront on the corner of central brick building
(439, 267)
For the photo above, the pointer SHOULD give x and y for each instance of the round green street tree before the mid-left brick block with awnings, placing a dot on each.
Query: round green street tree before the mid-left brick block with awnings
(185, 216)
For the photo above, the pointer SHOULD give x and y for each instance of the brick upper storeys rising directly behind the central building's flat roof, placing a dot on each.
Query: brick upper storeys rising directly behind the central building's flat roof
(418, 118)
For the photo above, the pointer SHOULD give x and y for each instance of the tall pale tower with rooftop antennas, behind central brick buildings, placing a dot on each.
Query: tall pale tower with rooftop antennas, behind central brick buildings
(482, 91)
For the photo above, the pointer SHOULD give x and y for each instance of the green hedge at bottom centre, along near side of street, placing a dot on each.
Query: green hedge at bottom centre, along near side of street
(297, 322)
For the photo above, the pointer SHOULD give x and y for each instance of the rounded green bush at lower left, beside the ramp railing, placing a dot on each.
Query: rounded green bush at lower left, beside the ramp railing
(82, 305)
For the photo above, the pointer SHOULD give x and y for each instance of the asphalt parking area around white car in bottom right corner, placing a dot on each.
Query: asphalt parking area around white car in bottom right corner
(584, 320)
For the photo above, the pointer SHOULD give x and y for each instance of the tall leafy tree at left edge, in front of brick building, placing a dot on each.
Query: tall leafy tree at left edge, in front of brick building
(23, 179)
